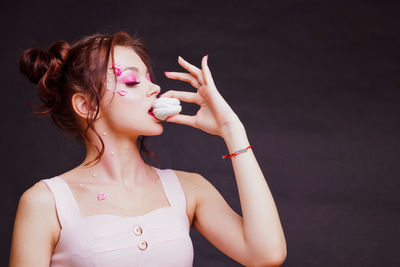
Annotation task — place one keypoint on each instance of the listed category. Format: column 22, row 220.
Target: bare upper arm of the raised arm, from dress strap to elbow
column 217, row 222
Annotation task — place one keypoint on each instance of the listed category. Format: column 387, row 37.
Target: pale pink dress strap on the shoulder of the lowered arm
column 66, row 206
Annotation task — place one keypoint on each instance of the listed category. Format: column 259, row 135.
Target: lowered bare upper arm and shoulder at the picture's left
column 36, row 228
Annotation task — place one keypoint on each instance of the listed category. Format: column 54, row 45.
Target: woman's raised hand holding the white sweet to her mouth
column 215, row 116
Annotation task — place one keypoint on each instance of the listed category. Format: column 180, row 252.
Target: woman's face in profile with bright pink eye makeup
column 129, row 95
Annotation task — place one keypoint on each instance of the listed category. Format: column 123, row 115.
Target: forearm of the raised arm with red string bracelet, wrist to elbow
column 263, row 232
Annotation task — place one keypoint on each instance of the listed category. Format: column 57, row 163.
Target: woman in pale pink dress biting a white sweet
column 114, row 209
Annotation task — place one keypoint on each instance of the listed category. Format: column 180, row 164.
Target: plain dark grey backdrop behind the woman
column 316, row 84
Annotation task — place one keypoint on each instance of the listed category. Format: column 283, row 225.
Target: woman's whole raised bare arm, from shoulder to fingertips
column 257, row 238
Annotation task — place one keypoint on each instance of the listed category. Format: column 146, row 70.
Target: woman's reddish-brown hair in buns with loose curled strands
column 64, row 70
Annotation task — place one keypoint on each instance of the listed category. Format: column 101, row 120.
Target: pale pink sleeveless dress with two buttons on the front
column 157, row 238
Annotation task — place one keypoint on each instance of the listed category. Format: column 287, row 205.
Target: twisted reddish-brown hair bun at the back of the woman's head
column 35, row 63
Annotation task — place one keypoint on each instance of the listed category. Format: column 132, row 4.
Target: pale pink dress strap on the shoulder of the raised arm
column 172, row 188
